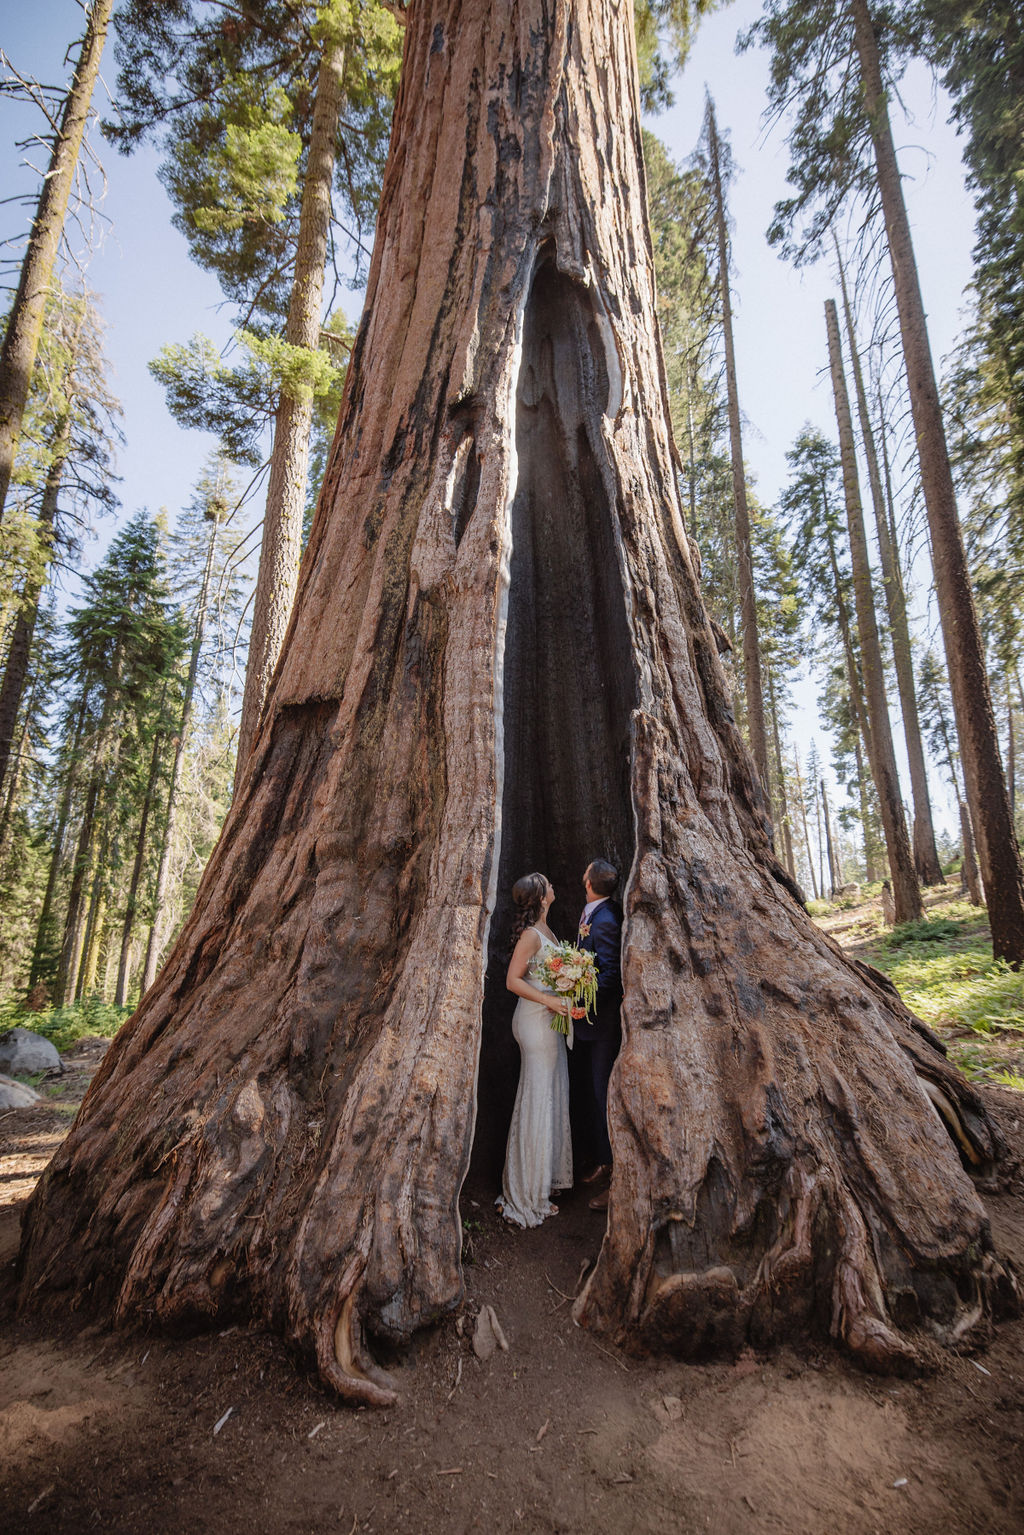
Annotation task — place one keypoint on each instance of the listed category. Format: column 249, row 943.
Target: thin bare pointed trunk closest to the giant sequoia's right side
column 744, row 555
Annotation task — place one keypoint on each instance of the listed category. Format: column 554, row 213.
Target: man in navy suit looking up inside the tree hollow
column 600, row 1040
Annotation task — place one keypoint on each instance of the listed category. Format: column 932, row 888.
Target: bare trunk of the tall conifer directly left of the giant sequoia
column 289, row 463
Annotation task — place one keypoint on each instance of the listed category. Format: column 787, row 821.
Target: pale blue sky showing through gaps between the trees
column 151, row 294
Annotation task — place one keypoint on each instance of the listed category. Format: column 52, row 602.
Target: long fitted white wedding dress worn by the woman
column 540, row 1157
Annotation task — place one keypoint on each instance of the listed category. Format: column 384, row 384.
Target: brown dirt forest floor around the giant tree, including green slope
column 116, row 1433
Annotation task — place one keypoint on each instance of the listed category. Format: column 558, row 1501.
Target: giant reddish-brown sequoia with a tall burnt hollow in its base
column 500, row 661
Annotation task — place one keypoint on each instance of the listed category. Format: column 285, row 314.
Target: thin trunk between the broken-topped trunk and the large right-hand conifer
column 925, row 851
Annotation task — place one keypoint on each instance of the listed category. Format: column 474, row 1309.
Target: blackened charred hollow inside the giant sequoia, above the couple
column 569, row 672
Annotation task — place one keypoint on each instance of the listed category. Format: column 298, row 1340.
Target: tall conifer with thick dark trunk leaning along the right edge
column 842, row 147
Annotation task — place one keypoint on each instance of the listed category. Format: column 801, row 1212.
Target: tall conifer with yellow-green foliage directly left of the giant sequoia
column 263, row 122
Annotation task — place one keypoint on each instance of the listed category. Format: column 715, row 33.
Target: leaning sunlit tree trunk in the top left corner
column 25, row 322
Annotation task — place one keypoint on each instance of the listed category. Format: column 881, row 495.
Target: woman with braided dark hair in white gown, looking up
column 540, row 1155
